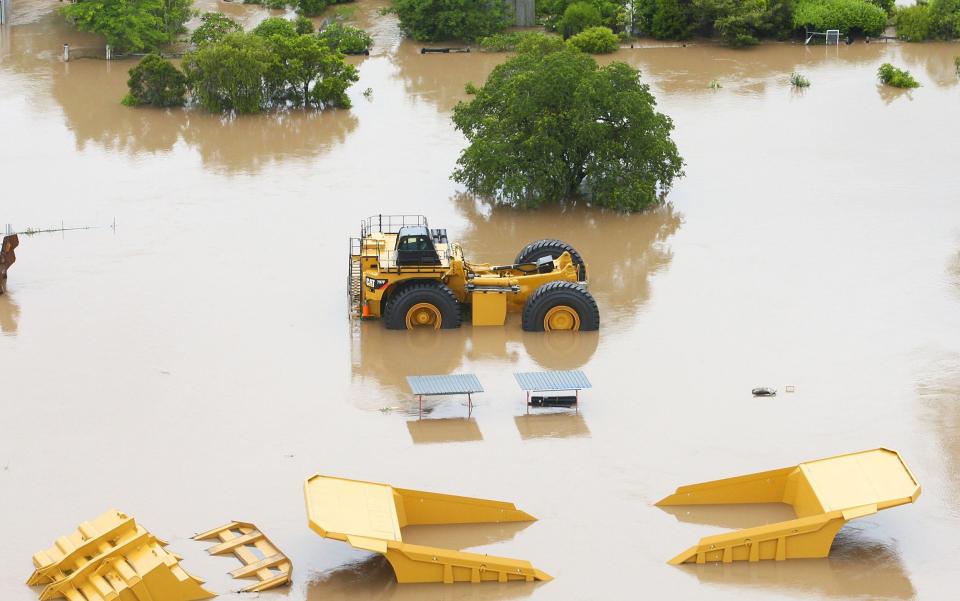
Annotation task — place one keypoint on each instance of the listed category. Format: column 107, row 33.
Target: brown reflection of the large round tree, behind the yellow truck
column 622, row 251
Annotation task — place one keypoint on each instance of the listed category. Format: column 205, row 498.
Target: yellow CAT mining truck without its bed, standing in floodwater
column 411, row 276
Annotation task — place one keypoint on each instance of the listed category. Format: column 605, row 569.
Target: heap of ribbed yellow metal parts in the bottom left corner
column 113, row 557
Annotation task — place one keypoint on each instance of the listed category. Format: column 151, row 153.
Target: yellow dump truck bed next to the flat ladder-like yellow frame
column 369, row 516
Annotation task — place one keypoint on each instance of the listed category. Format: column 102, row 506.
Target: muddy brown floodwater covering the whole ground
column 194, row 363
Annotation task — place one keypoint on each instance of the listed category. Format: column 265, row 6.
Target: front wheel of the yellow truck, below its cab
column 423, row 305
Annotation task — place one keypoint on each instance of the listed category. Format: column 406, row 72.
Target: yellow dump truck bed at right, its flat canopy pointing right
column 825, row 495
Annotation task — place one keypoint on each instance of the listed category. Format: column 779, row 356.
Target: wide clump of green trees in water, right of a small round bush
column 279, row 64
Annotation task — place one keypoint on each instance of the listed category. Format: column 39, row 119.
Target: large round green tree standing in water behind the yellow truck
column 549, row 123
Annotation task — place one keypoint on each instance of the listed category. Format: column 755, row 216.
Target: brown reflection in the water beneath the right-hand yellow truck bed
column 856, row 568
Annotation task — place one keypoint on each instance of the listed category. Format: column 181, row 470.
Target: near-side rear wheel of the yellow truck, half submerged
column 561, row 306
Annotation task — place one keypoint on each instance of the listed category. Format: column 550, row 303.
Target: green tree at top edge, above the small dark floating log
column 437, row 20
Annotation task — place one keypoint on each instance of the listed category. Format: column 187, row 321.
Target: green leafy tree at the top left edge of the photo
column 130, row 25
